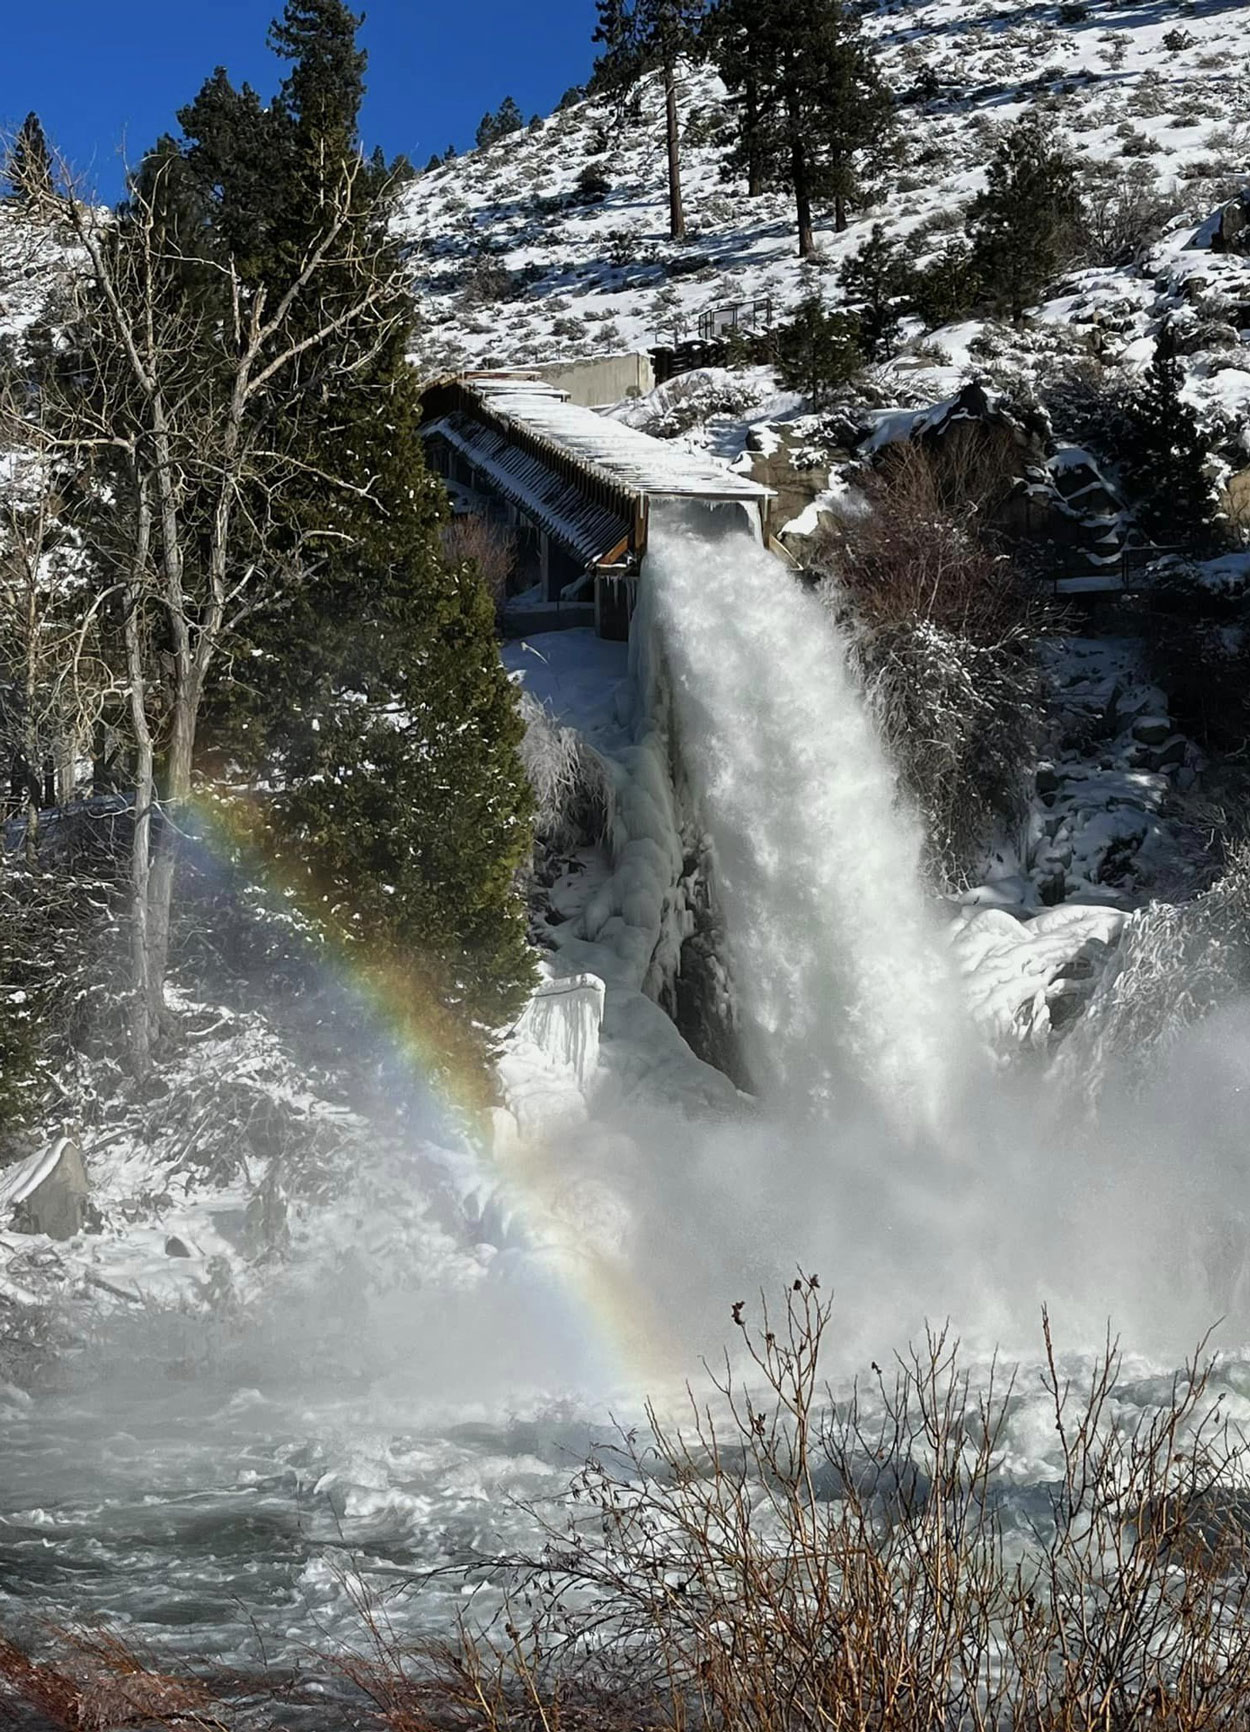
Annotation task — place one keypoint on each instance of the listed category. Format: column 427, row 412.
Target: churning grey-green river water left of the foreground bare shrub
column 219, row 1523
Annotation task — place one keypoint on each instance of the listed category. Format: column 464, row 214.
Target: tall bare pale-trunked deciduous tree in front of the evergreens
column 179, row 373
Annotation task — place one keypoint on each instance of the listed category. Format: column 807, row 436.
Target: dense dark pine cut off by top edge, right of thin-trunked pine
column 815, row 110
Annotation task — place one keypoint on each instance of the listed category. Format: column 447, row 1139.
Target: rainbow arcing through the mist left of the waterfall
column 423, row 1042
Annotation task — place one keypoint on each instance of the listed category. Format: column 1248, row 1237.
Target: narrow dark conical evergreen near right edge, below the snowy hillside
column 1164, row 453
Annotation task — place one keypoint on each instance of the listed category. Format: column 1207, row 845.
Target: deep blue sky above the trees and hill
column 106, row 75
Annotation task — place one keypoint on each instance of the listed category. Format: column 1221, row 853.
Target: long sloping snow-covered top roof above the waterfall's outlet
column 628, row 458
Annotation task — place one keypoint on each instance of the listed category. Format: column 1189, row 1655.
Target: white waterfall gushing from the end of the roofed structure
column 839, row 973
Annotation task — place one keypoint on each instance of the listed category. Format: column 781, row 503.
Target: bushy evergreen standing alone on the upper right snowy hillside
column 1024, row 226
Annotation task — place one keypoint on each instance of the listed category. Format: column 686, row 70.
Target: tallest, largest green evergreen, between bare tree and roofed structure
column 371, row 688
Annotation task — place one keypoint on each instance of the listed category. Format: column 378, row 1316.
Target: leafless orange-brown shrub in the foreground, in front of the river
column 787, row 1561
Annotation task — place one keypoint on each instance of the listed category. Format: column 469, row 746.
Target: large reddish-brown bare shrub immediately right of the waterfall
column 941, row 635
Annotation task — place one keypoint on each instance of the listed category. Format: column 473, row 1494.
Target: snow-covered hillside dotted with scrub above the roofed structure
column 515, row 264
